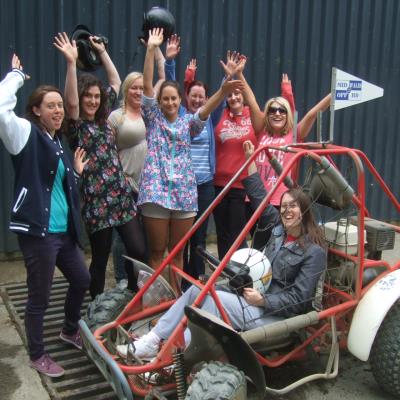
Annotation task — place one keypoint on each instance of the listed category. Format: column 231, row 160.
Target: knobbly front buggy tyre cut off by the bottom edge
column 218, row 381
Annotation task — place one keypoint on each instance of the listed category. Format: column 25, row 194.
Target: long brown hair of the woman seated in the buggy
column 309, row 227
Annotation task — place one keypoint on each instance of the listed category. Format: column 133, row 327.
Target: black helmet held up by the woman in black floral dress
column 88, row 58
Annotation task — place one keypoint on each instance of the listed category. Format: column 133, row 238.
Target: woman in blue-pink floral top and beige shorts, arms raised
column 167, row 191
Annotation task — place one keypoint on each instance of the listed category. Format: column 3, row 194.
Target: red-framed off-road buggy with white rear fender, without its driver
column 357, row 306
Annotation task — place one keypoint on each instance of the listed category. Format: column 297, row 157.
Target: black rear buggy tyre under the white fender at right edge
column 385, row 353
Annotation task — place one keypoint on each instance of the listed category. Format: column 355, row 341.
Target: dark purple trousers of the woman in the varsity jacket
column 41, row 255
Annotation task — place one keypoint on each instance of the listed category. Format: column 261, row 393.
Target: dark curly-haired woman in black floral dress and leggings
column 106, row 194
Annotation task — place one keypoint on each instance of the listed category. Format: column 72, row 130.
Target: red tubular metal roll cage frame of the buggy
column 326, row 318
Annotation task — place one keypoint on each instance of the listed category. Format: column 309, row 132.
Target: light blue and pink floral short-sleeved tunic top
column 167, row 178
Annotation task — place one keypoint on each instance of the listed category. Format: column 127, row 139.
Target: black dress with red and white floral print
column 107, row 198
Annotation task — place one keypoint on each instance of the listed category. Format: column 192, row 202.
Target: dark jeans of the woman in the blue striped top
column 193, row 263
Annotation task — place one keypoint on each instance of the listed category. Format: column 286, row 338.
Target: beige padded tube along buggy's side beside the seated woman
column 271, row 331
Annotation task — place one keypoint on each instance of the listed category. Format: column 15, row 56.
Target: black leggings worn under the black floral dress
column 131, row 234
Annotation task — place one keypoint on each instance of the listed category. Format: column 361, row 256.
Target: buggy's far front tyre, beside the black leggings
column 106, row 307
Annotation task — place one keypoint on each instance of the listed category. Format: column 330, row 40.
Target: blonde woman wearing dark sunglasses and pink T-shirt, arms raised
column 274, row 126
